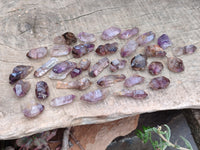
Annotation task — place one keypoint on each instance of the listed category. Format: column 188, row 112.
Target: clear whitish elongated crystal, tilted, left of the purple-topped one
column 45, row 67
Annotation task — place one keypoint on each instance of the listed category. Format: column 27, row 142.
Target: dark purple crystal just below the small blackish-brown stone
column 82, row 49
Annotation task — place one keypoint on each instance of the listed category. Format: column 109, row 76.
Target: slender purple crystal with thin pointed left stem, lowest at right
column 135, row 94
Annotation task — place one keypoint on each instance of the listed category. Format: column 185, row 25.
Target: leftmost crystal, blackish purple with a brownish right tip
column 19, row 72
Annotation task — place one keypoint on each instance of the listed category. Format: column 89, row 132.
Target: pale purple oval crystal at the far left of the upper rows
column 37, row 53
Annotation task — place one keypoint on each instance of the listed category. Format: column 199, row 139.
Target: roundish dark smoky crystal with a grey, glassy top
column 139, row 62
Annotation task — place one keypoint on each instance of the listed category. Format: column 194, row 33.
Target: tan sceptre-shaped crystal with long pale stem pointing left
column 80, row 84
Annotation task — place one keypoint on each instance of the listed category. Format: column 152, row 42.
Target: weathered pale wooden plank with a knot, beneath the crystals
column 34, row 23
